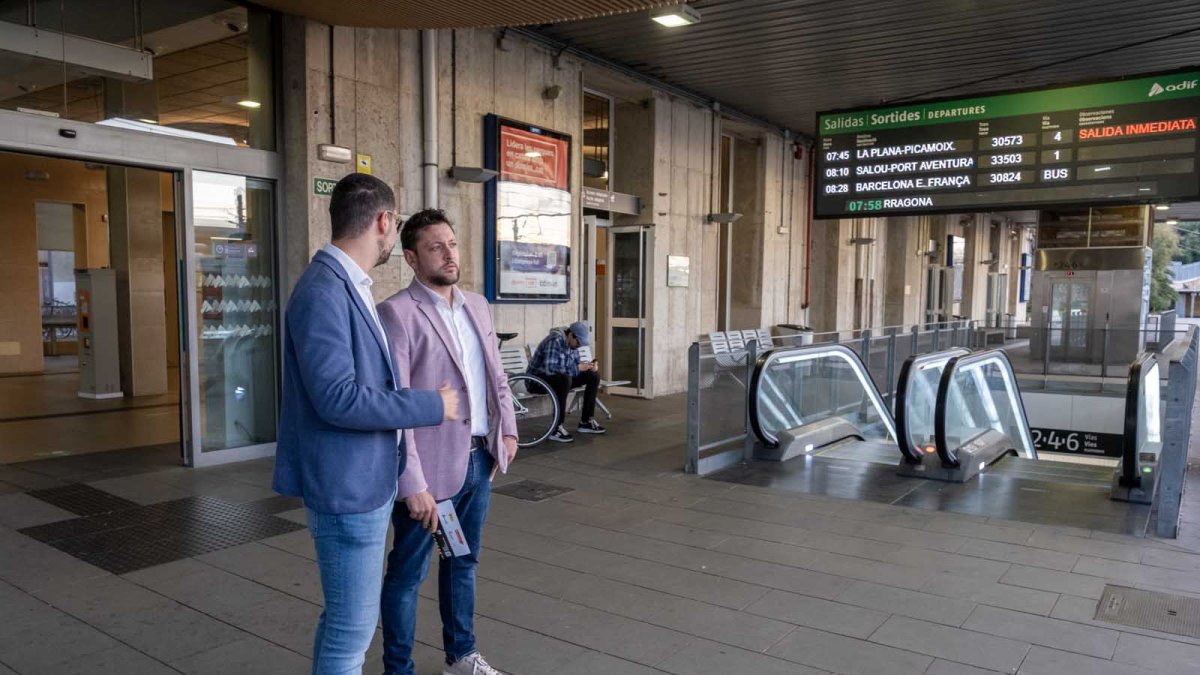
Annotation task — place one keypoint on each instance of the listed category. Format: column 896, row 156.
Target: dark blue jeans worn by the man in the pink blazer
column 410, row 563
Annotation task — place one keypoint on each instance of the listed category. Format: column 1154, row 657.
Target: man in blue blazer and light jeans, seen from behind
column 339, row 445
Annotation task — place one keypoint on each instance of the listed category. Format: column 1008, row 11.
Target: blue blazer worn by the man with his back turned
column 338, row 446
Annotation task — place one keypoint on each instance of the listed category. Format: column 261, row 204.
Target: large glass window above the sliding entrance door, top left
column 213, row 71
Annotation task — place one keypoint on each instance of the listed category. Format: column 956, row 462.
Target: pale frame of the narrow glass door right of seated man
column 644, row 324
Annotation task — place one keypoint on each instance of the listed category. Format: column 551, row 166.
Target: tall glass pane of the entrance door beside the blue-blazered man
column 238, row 313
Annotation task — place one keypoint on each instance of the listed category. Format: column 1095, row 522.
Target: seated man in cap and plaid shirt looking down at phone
column 557, row 362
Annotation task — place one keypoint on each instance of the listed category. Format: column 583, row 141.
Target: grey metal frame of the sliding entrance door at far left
column 38, row 135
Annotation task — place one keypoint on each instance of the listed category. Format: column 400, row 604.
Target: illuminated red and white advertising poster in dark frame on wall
column 529, row 213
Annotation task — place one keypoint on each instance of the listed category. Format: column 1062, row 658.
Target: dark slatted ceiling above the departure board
column 785, row 61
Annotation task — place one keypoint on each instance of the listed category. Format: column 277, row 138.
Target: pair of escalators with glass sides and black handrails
column 958, row 415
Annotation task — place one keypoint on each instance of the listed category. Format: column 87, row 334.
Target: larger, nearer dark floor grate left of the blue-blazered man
column 139, row 536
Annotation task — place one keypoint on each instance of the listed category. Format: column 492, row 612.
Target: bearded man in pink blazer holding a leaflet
column 441, row 334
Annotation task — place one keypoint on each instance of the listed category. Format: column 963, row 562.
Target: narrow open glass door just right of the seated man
column 629, row 274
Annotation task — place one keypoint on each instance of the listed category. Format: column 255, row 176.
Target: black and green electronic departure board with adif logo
column 1127, row 141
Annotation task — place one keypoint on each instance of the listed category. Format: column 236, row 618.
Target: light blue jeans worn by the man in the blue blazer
column 350, row 553
